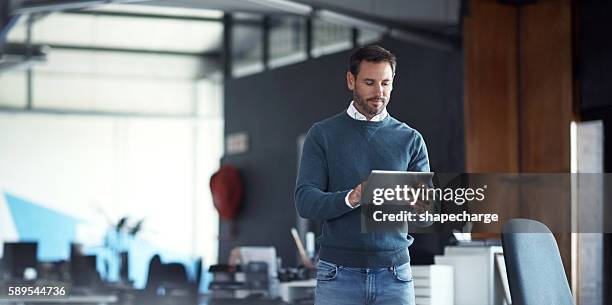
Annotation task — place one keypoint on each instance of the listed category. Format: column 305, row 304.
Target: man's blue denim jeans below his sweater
column 337, row 285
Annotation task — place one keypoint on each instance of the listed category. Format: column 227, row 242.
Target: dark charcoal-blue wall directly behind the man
column 276, row 106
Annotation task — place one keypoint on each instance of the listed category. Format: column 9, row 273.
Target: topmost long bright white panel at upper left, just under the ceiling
column 123, row 32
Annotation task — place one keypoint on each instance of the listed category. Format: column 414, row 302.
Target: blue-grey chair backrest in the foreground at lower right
column 533, row 263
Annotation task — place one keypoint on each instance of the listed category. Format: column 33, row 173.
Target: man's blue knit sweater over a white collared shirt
column 338, row 154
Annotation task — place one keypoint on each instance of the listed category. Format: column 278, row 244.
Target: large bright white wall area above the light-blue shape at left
column 144, row 168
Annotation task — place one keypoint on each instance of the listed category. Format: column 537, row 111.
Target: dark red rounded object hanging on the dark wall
column 227, row 190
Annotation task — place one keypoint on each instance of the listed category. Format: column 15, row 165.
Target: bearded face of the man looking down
column 371, row 87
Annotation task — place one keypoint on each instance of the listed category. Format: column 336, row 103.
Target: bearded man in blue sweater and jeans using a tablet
column 339, row 153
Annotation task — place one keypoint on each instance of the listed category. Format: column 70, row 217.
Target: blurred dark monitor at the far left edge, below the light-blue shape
column 17, row 256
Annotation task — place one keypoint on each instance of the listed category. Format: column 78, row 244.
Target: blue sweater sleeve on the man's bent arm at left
column 312, row 199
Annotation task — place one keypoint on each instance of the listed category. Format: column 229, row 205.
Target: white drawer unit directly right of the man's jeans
column 433, row 284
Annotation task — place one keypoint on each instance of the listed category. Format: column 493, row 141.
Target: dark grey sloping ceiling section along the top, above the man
column 431, row 23
